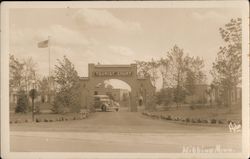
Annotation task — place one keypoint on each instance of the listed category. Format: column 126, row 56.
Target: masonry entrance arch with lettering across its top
column 140, row 87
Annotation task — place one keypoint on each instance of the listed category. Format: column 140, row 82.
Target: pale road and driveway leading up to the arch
column 118, row 132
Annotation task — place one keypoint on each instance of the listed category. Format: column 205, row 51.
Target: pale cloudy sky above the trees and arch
column 116, row 36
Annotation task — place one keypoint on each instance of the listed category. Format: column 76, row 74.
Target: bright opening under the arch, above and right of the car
column 117, row 90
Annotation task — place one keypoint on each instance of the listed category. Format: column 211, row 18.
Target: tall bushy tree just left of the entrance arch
column 67, row 95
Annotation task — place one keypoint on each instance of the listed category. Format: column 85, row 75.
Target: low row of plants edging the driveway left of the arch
column 57, row 119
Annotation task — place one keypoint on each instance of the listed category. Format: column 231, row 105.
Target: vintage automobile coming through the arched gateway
column 104, row 103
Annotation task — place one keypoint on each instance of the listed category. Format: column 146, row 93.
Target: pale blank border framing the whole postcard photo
column 6, row 6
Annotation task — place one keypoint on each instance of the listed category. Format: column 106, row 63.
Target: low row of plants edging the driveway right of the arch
column 187, row 120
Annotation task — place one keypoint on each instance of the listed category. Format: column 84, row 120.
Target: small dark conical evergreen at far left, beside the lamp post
column 22, row 102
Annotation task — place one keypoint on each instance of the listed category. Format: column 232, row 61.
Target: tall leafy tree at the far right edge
column 226, row 70
